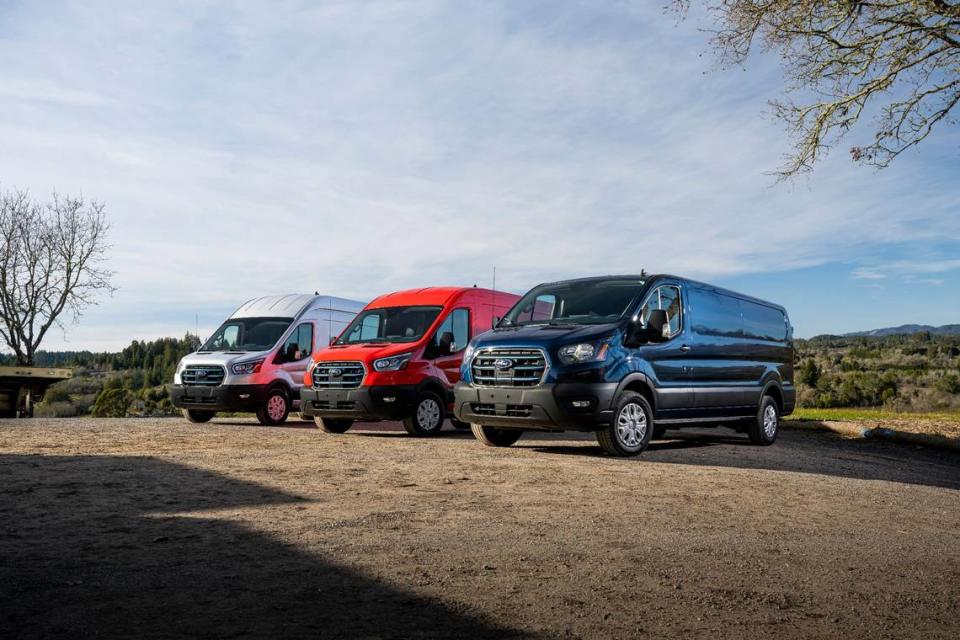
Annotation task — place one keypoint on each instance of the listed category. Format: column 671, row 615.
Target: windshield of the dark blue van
column 585, row 302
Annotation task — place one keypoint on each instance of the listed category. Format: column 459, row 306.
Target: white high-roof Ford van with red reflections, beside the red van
column 257, row 359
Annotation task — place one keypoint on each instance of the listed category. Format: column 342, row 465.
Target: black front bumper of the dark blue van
column 548, row 407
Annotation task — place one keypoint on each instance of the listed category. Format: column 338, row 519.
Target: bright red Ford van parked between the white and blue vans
column 399, row 359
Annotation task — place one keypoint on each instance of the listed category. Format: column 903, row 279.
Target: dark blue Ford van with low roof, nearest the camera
column 629, row 357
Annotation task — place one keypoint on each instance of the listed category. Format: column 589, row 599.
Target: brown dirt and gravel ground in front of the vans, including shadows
column 157, row 528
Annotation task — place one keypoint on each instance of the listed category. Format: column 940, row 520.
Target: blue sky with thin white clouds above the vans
column 356, row 148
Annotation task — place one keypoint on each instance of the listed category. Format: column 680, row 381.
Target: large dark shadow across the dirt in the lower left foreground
column 88, row 548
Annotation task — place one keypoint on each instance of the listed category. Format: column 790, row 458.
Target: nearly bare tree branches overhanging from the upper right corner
column 895, row 61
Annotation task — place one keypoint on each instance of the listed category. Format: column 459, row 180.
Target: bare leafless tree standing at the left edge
column 51, row 262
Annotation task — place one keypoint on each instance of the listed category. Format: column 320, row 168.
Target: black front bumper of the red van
column 389, row 402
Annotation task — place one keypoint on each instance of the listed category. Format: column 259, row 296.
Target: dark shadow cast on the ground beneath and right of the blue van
column 796, row 450
